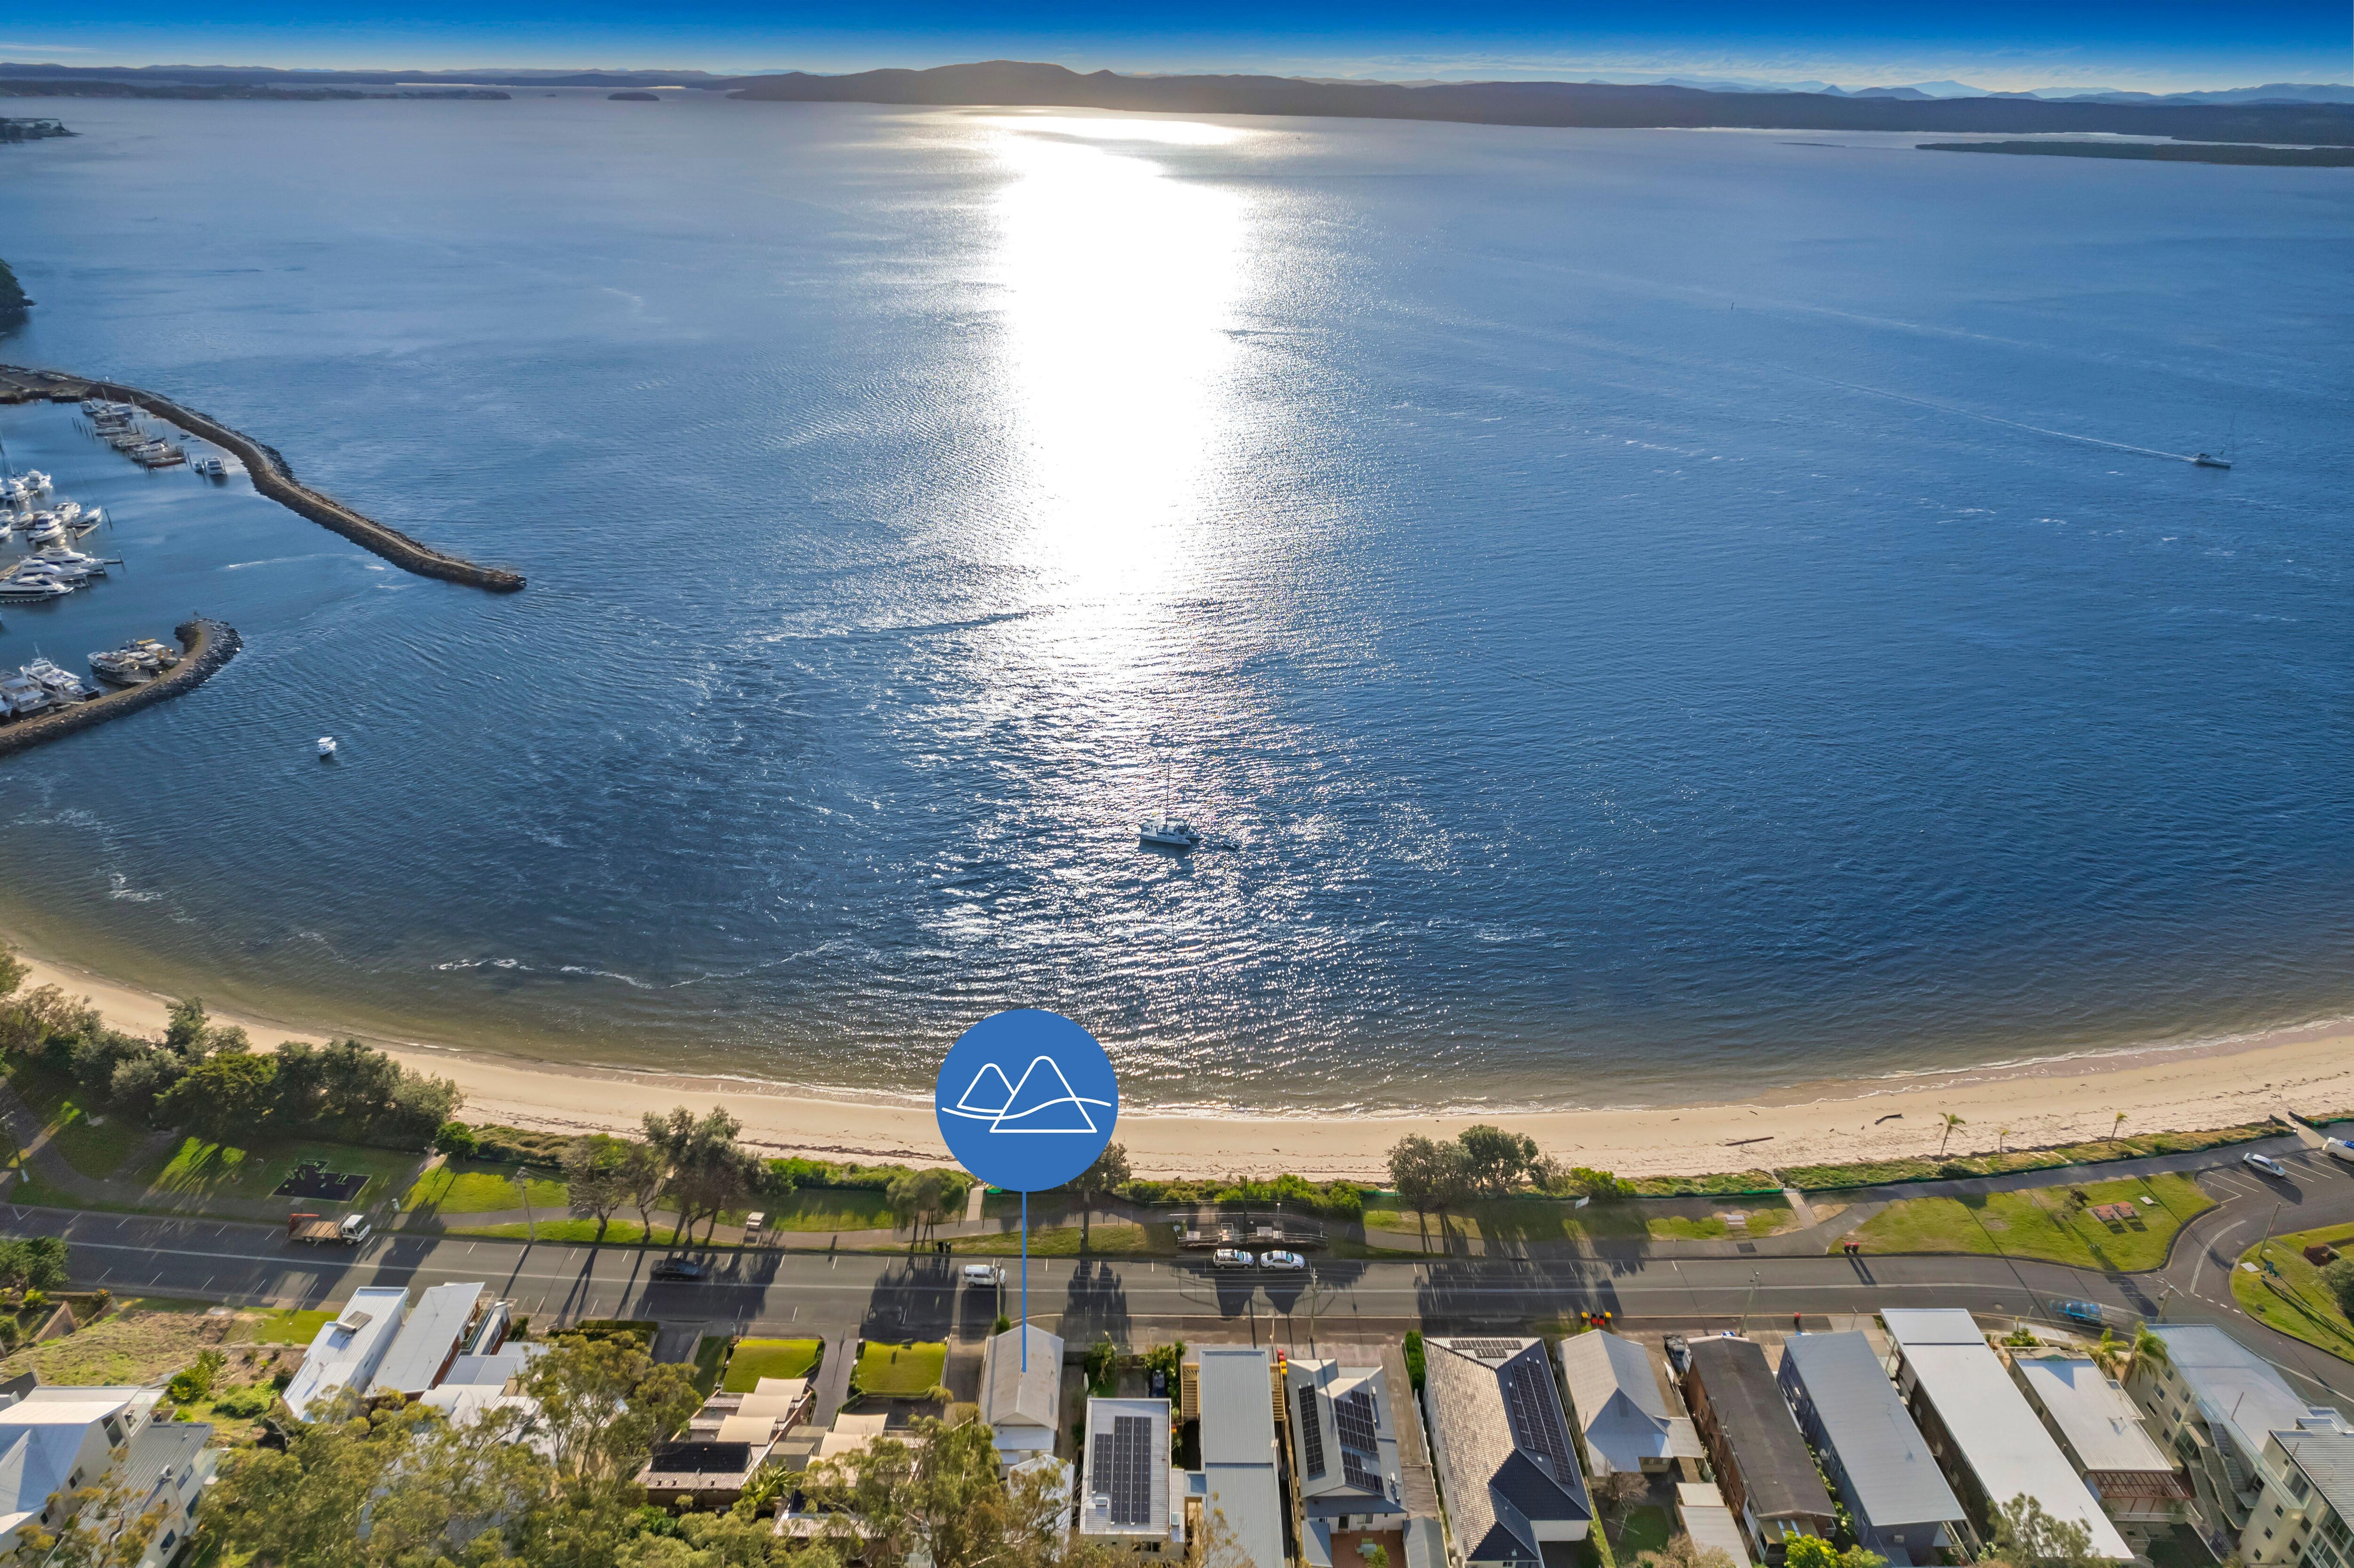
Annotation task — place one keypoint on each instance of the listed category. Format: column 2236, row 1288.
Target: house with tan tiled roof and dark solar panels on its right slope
column 1503, row 1451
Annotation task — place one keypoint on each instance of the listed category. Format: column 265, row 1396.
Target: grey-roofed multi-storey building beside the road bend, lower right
column 2214, row 1404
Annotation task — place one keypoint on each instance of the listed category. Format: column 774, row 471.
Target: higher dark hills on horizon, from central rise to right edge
column 1590, row 105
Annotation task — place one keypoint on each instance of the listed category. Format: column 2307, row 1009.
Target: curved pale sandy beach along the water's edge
column 2019, row 1108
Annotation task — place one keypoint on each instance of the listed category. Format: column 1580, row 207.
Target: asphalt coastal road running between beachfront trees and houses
column 898, row 1296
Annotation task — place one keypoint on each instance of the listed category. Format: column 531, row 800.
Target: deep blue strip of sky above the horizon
column 2007, row 44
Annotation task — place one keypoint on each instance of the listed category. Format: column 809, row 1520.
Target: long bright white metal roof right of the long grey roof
column 1990, row 1423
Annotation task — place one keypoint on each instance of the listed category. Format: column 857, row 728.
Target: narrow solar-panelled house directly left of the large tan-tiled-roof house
column 1345, row 1454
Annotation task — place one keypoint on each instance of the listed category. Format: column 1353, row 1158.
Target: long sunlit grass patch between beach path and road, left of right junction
column 2044, row 1223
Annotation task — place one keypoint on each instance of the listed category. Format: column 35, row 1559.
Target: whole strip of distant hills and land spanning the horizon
column 2315, row 114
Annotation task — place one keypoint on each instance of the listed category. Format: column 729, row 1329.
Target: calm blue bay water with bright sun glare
column 1581, row 571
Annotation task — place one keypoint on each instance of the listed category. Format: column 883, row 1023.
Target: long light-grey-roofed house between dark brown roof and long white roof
column 1870, row 1447
